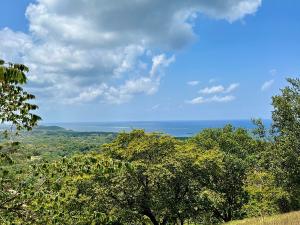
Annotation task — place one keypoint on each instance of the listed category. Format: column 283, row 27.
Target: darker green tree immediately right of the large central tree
column 224, row 182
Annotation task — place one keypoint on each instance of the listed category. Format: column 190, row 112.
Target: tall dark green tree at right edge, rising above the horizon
column 286, row 128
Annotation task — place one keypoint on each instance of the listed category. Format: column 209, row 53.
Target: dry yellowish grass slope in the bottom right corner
column 292, row 218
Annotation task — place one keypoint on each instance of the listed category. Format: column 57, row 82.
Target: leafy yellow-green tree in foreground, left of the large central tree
column 72, row 190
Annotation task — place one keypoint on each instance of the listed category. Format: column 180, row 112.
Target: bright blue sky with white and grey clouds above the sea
column 138, row 60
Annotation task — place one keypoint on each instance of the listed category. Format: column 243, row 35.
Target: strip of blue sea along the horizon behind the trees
column 175, row 128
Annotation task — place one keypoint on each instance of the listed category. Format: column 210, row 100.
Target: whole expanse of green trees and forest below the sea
column 219, row 175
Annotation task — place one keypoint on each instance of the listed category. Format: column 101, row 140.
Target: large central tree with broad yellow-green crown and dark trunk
column 159, row 186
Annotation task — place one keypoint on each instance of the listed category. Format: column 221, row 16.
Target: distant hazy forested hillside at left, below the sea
column 52, row 142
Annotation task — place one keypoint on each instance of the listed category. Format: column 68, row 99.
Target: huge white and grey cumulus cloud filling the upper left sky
column 104, row 50
